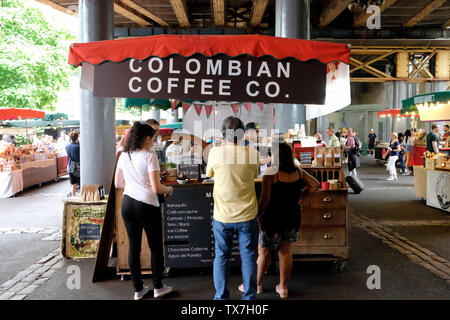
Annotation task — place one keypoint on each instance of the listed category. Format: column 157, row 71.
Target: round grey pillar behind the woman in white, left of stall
column 97, row 120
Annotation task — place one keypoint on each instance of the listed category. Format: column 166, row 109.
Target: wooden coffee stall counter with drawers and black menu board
column 189, row 239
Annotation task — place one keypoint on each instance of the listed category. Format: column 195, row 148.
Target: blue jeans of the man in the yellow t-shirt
column 248, row 248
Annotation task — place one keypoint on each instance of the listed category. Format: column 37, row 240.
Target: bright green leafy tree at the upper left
column 33, row 57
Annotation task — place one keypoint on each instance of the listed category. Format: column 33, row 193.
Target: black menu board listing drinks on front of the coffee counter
column 188, row 234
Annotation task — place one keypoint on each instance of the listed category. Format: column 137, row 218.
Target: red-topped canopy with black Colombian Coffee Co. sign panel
column 252, row 68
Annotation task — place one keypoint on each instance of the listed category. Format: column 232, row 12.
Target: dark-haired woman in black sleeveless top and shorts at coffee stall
column 279, row 213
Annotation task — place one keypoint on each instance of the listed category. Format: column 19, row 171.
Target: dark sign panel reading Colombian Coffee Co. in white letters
column 223, row 78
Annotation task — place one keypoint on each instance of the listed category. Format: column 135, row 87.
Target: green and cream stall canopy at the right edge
column 430, row 107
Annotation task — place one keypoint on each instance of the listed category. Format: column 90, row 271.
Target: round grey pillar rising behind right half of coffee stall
column 291, row 21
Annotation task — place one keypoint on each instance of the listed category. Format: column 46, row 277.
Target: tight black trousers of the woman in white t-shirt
column 138, row 215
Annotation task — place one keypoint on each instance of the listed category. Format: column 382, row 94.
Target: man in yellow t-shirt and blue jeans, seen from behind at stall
column 234, row 167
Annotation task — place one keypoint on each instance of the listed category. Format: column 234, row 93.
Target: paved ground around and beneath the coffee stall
column 407, row 240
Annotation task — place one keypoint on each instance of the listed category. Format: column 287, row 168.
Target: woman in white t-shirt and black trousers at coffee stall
column 138, row 173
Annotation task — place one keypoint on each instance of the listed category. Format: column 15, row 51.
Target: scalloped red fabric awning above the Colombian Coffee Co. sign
column 209, row 45
